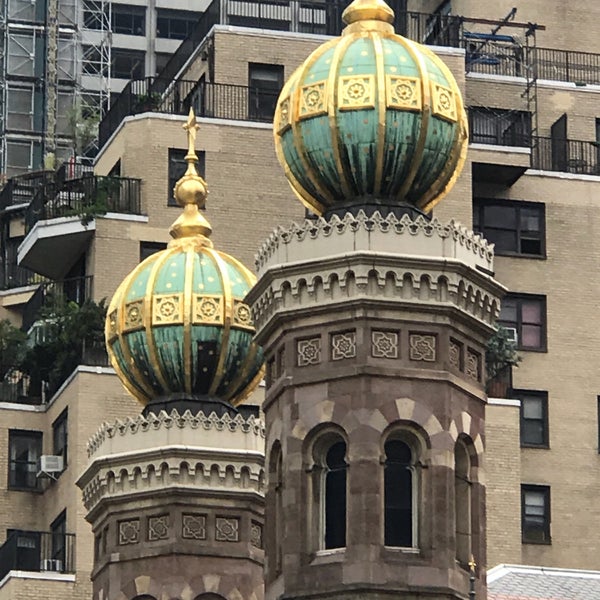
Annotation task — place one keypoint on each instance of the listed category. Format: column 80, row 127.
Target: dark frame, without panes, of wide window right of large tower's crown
column 479, row 226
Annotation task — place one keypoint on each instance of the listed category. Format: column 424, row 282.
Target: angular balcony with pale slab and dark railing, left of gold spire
column 65, row 240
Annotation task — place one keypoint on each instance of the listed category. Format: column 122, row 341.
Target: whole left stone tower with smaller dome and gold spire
column 175, row 496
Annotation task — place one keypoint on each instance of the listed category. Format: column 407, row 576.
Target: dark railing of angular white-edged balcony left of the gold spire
column 84, row 197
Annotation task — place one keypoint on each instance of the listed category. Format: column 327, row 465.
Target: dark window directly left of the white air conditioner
column 25, row 449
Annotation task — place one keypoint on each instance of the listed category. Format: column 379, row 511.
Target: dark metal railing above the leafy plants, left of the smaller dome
column 54, row 293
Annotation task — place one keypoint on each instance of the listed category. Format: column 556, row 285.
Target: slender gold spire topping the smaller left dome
column 190, row 192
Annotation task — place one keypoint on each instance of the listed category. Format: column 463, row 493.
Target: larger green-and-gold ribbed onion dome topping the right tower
column 371, row 118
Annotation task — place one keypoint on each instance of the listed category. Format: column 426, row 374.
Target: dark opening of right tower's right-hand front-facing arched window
column 399, row 494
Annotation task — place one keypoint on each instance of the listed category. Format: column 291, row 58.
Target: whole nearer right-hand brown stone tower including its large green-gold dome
column 373, row 319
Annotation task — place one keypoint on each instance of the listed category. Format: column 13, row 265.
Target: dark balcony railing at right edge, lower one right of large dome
column 567, row 156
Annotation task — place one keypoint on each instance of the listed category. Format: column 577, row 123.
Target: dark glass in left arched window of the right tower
column 335, row 496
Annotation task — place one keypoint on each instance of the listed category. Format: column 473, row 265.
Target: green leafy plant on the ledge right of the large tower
column 500, row 357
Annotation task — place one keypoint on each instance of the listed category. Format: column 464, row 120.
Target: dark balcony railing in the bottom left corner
column 37, row 551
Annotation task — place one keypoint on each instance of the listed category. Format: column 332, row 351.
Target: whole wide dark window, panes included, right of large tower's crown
column 516, row 228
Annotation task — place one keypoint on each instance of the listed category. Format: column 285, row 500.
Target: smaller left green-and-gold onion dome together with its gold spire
column 178, row 327
